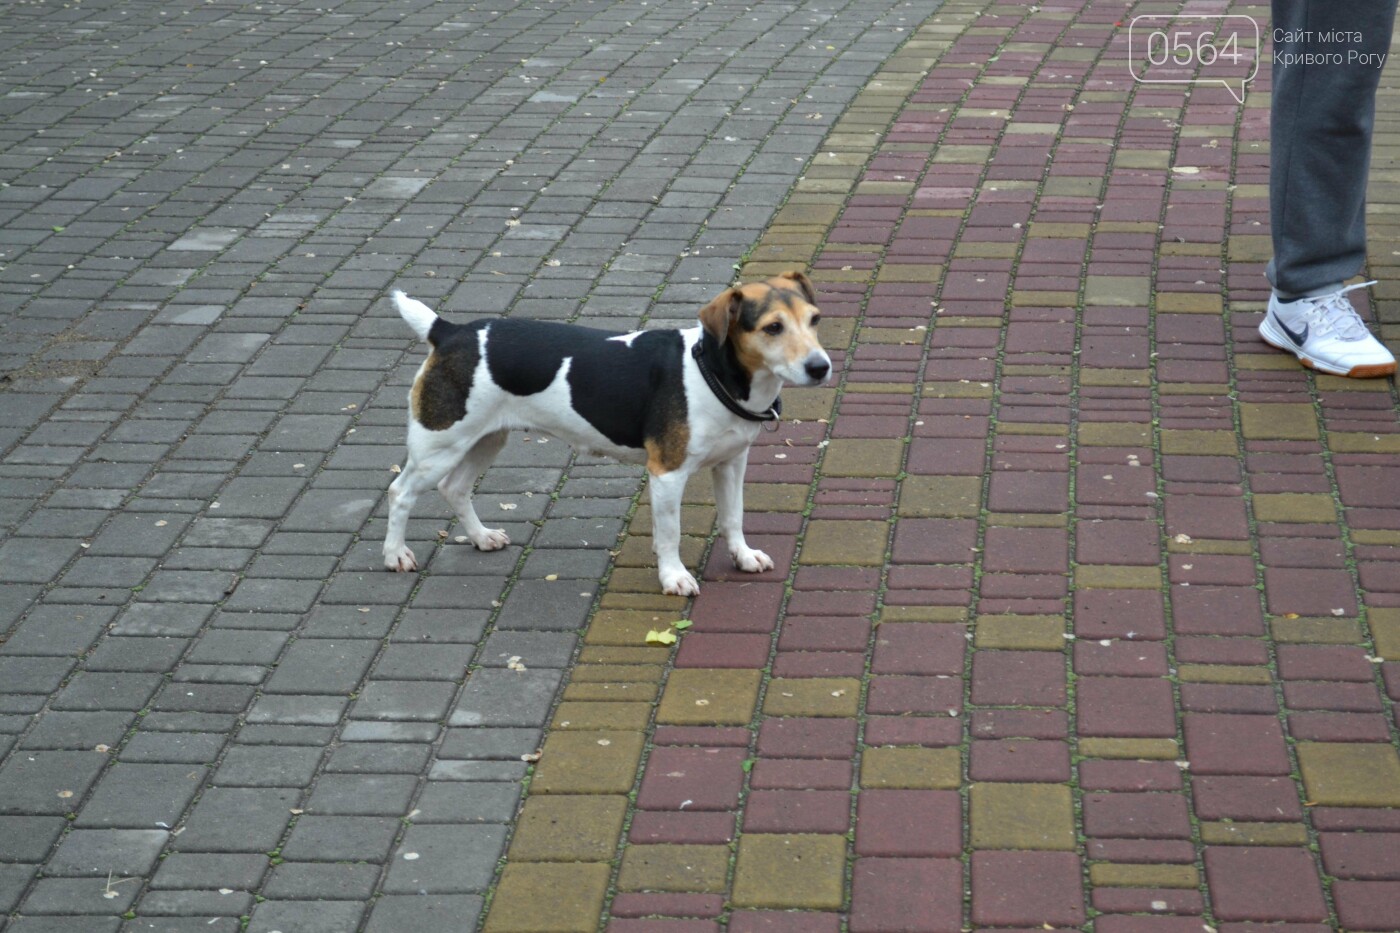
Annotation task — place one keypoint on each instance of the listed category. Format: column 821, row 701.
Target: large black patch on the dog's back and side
column 628, row 393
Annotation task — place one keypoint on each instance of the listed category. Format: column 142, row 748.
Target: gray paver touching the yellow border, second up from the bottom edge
column 450, row 859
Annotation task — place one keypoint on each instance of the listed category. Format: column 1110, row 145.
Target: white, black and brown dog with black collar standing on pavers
column 677, row 401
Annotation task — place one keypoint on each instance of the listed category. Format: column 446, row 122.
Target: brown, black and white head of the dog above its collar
column 772, row 326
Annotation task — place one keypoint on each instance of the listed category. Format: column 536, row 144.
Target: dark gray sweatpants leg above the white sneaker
column 1322, row 118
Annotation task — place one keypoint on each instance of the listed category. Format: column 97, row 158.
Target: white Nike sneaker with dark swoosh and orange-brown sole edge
column 1326, row 334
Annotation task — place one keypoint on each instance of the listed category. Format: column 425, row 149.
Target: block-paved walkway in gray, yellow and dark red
column 1083, row 595
